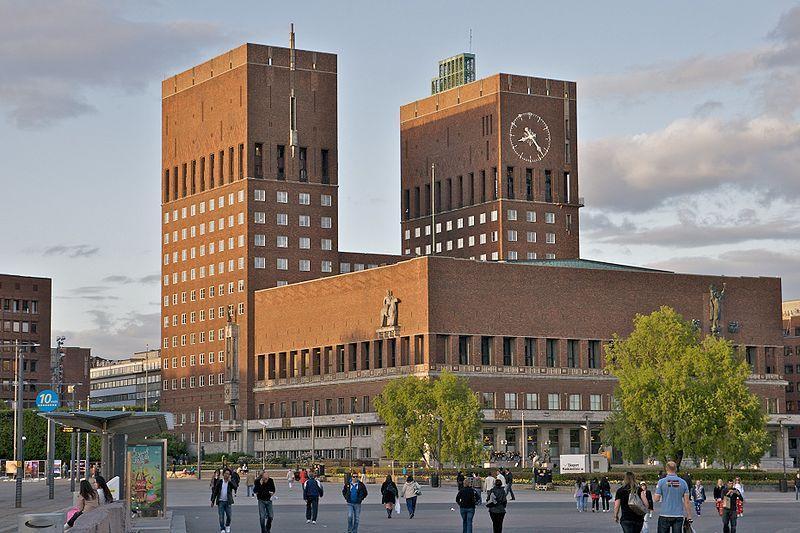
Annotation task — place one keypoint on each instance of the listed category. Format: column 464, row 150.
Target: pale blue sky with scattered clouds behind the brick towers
column 688, row 127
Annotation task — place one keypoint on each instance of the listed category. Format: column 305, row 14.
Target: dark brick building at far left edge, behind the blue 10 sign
column 25, row 304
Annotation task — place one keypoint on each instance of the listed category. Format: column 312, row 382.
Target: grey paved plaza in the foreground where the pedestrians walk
column 766, row 512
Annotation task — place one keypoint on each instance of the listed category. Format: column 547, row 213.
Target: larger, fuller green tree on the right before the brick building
column 681, row 396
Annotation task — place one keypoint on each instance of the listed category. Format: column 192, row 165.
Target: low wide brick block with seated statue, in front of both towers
column 538, row 352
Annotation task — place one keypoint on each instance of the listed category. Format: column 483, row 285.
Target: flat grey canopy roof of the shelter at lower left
column 133, row 423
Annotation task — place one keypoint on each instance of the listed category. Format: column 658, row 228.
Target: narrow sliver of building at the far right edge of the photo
column 791, row 370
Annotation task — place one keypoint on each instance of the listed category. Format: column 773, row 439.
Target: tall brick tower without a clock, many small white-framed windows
column 249, row 201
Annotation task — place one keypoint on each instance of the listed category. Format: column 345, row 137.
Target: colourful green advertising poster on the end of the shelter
column 145, row 466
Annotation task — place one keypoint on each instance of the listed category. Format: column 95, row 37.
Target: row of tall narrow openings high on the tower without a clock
column 192, row 177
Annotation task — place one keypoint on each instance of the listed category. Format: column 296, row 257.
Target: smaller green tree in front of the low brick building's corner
column 413, row 408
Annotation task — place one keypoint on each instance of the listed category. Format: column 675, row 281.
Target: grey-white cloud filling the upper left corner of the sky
column 54, row 51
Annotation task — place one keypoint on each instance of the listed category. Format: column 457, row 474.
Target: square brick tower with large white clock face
column 489, row 171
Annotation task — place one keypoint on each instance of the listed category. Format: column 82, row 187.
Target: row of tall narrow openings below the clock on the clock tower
column 465, row 191
